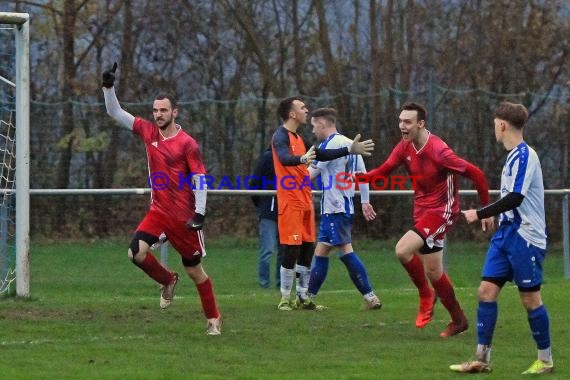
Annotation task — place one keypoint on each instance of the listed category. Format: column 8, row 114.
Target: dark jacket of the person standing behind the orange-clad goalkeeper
column 264, row 179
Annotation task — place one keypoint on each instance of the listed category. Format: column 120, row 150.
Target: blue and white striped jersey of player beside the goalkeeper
column 338, row 192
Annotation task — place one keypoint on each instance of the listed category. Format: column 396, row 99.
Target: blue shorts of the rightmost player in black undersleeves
column 512, row 258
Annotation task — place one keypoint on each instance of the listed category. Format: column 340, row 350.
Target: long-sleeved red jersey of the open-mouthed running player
column 433, row 166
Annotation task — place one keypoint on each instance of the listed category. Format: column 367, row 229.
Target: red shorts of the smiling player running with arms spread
column 432, row 226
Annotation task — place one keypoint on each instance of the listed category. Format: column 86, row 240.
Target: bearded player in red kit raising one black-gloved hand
column 178, row 203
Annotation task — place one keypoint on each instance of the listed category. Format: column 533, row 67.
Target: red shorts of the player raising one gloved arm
column 188, row 243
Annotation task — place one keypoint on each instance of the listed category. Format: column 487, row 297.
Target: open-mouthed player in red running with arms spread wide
column 436, row 207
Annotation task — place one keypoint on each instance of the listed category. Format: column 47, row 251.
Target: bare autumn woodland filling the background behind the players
column 363, row 57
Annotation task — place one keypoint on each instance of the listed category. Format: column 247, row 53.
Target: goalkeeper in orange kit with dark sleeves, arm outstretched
column 296, row 214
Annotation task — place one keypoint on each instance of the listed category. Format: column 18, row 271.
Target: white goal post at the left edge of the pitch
column 19, row 22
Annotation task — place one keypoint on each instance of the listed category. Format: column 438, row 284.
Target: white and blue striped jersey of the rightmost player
column 522, row 174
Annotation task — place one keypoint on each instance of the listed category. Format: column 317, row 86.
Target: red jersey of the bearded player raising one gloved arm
column 173, row 160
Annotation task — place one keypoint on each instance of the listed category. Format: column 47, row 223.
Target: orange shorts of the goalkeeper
column 296, row 225
